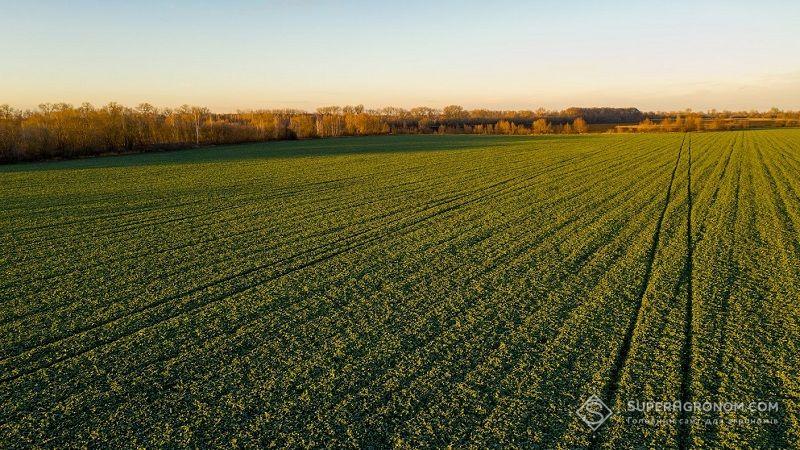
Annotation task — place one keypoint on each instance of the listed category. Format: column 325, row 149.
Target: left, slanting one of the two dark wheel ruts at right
column 612, row 387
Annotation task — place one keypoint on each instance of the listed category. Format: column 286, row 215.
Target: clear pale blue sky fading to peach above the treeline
column 496, row 54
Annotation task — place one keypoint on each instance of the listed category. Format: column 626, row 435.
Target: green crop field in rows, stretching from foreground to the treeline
column 405, row 291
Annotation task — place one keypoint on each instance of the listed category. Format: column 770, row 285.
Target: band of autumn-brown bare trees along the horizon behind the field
column 64, row 131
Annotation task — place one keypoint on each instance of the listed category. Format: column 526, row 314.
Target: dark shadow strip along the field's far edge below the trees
column 288, row 149
